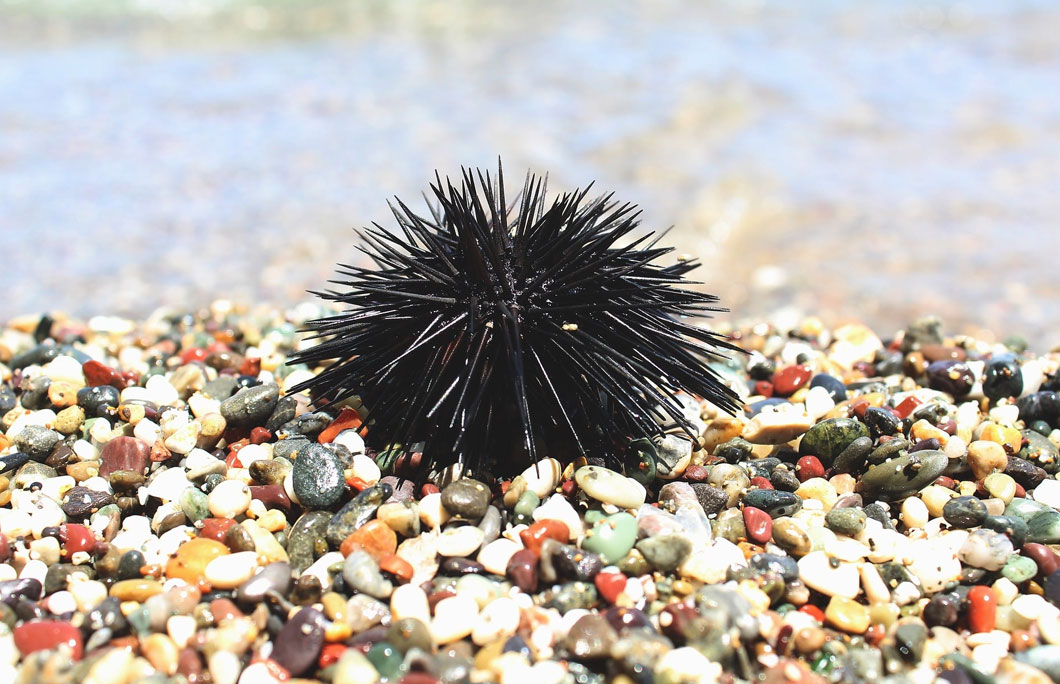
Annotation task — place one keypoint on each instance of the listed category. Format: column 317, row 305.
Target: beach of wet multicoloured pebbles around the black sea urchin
column 886, row 508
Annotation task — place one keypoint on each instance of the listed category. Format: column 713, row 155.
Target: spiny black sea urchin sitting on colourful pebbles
column 493, row 332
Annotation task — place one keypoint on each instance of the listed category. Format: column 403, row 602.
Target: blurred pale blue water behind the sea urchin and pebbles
column 856, row 161
